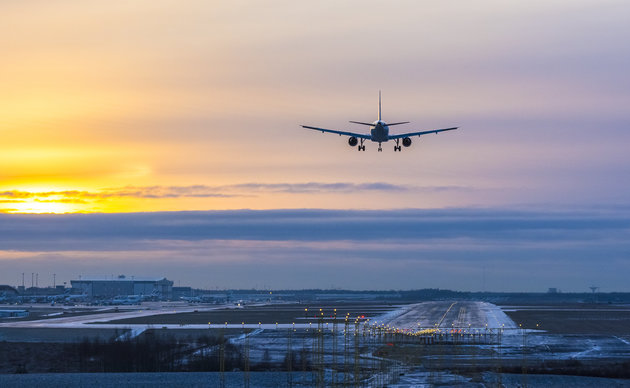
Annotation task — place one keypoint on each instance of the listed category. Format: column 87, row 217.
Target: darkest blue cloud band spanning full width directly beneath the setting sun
column 22, row 231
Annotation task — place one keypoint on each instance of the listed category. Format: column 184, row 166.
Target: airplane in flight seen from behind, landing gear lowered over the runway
column 379, row 132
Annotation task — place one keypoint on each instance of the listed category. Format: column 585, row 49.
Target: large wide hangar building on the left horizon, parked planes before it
column 123, row 285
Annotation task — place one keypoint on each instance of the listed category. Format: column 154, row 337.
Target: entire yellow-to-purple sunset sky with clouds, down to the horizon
column 182, row 110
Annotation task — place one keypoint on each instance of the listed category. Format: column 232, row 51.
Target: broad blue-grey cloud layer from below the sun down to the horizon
column 407, row 248
